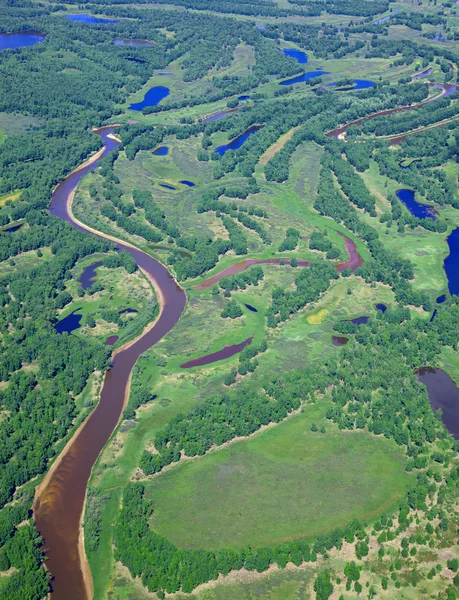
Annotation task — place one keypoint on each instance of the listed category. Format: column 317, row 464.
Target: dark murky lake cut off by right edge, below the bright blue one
column 444, row 394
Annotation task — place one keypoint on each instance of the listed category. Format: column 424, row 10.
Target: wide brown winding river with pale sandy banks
column 60, row 498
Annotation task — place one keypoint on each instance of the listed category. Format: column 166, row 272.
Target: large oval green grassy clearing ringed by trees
column 272, row 488
